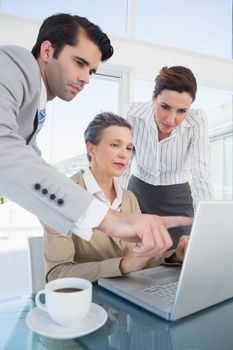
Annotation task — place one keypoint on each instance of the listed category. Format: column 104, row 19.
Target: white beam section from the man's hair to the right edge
column 148, row 58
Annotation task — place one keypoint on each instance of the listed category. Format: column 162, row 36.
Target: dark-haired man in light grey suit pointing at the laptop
column 68, row 50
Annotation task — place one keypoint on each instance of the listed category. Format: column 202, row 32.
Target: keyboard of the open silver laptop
column 166, row 291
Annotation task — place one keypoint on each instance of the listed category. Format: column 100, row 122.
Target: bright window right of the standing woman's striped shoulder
column 218, row 106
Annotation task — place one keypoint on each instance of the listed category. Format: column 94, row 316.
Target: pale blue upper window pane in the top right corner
column 200, row 26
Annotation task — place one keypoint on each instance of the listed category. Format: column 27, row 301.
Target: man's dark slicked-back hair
column 62, row 29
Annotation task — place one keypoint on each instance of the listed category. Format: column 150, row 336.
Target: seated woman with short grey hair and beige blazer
column 109, row 146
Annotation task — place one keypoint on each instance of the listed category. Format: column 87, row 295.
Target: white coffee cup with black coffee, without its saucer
column 67, row 300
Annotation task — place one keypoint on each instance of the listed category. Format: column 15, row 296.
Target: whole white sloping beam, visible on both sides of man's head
column 145, row 58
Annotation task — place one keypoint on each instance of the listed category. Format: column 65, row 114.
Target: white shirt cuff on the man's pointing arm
column 90, row 219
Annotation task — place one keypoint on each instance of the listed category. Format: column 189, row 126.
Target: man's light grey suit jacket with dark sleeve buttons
column 24, row 177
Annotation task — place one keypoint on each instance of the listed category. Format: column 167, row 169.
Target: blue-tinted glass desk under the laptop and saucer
column 128, row 328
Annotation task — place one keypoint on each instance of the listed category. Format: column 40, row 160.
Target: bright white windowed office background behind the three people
column 146, row 35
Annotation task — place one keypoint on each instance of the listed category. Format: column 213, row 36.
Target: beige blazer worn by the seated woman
column 72, row 256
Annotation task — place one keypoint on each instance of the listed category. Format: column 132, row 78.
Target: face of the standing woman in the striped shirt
column 171, row 108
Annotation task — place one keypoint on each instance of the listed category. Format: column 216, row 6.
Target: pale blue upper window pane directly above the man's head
column 101, row 12
